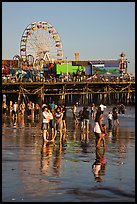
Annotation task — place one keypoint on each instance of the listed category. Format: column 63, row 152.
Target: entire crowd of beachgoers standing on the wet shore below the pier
column 54, row 118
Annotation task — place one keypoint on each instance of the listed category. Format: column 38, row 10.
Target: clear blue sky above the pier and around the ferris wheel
column 97, row 30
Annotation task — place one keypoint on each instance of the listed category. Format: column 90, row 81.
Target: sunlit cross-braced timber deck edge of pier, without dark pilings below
column 65, row 88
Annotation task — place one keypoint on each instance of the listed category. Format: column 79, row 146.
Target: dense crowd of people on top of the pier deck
column 34, row 75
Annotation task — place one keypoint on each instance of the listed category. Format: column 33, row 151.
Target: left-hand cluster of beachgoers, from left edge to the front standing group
column 53, row 116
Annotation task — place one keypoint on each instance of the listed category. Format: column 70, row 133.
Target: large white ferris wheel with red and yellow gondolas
column 41, row 41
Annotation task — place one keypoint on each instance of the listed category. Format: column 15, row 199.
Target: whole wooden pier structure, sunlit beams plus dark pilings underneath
column 71, row 92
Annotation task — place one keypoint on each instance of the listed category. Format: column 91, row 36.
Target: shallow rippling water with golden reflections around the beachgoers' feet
column 63, row 173
